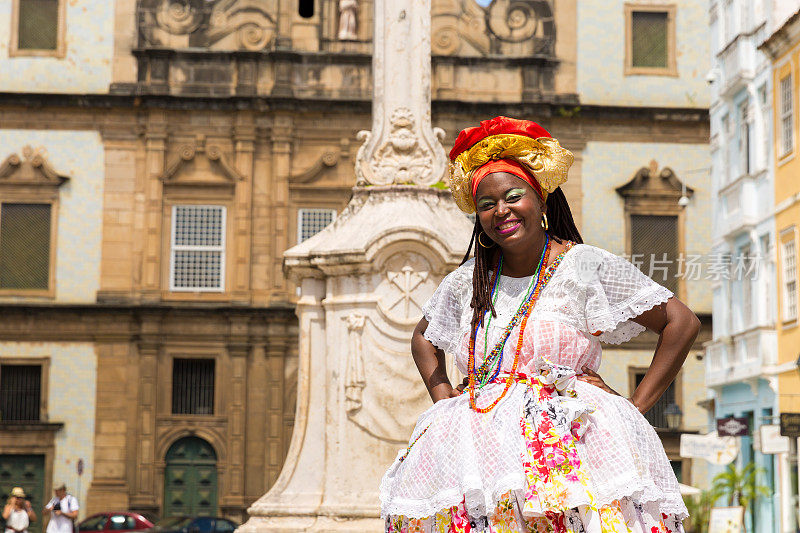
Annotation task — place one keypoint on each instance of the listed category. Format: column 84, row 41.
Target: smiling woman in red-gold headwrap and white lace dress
column 536, row 441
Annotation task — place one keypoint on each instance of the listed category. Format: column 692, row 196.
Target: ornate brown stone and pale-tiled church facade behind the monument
column 167, row 153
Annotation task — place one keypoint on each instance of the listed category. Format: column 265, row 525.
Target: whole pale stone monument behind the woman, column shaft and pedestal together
column 363, row 280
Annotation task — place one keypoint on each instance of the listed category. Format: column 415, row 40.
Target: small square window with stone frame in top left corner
column 38, row 27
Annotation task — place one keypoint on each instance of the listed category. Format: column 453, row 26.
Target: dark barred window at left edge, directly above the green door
column 20, row 392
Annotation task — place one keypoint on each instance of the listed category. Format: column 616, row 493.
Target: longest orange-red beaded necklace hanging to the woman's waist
column 521, row 316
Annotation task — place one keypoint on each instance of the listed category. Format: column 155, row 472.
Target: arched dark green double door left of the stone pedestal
column 190, row 479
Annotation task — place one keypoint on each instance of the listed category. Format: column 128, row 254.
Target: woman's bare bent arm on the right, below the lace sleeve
column 677, row 327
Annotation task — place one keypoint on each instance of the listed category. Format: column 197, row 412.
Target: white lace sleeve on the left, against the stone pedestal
column 443, row 311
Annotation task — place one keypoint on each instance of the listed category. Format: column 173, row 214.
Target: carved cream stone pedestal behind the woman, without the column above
column 363, row 281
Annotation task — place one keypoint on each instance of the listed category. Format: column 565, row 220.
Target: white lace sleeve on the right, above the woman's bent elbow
column 616, row 292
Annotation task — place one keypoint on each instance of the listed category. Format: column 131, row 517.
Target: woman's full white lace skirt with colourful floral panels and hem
column 556, row 492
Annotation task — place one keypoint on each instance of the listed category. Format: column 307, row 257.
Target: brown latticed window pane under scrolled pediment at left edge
column 24, row 246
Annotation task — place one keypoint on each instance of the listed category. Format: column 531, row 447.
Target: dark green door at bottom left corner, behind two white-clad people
column 26, row 471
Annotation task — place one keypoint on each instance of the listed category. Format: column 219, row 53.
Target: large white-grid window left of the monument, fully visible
column 197, row 261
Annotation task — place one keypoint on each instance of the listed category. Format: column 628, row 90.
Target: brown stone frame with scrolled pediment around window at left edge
column 43, row 189
